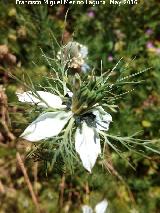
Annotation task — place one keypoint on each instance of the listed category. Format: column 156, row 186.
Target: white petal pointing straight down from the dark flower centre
column 87, row 144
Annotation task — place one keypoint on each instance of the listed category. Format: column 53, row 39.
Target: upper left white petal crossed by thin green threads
column 49, row 99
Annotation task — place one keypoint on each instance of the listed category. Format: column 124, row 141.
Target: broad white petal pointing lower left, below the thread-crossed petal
column 46, row 125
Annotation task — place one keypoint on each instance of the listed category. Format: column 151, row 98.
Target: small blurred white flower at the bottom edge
column 99, row 208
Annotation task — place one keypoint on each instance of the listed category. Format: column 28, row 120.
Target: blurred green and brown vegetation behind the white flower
column 110, row 32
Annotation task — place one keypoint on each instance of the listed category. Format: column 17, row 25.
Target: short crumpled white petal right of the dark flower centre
column 103, row 118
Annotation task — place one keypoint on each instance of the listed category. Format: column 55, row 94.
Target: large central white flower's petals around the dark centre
column 50, row 124
